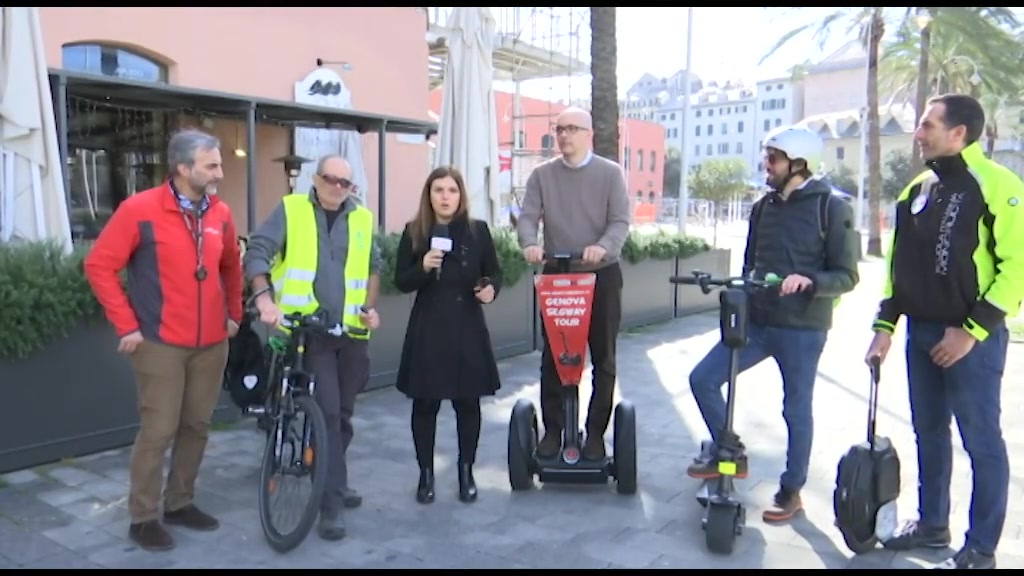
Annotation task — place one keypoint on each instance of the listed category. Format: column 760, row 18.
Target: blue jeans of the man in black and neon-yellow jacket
column 970, row 391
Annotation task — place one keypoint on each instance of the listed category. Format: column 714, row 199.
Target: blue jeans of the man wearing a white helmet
column 797, row 352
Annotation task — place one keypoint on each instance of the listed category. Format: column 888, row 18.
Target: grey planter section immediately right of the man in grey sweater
column 648, row 297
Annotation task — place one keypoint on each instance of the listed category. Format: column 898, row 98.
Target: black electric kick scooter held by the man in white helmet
column 726, row 516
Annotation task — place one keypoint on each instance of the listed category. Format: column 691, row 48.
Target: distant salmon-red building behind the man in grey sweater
column 643, row 144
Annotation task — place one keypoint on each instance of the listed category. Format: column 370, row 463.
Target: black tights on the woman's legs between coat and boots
column 467, row 415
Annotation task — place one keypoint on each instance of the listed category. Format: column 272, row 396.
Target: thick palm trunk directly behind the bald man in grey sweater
column 605, row 81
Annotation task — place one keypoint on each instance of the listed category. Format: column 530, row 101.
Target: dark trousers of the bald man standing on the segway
column 605, row 322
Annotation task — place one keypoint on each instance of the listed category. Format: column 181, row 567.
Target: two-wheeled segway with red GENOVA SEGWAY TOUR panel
column 566, row 302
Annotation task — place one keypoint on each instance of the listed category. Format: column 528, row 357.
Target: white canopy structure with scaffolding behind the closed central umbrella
column 531, row 44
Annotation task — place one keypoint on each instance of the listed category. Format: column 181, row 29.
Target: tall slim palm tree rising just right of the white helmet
column 870, row 24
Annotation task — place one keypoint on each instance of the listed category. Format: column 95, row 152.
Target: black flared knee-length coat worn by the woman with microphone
column 448, row 354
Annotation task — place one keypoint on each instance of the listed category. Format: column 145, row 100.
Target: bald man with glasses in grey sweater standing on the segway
column 583, row 201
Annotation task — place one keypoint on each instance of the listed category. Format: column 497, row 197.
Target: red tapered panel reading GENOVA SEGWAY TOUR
column 566, row 302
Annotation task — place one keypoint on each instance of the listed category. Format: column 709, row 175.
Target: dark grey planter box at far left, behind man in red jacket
column 74, row 398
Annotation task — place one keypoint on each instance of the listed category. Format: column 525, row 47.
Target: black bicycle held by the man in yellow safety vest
column 289, row 451
